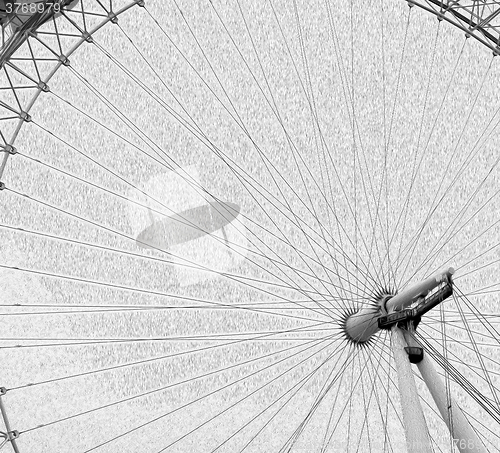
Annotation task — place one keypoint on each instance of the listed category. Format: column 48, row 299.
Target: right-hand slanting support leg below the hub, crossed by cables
column 464, row 437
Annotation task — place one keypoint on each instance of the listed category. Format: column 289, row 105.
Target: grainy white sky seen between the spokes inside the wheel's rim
column 405, row 104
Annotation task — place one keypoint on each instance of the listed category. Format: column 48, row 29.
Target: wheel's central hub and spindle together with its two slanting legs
column 401, row 313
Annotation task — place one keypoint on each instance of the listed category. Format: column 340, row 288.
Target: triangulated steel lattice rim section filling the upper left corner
column 35, row 46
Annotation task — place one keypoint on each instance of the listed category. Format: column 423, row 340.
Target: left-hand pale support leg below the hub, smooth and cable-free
column 417, row 436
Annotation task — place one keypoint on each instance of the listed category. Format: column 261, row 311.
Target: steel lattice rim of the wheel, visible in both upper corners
column 34, row 46
